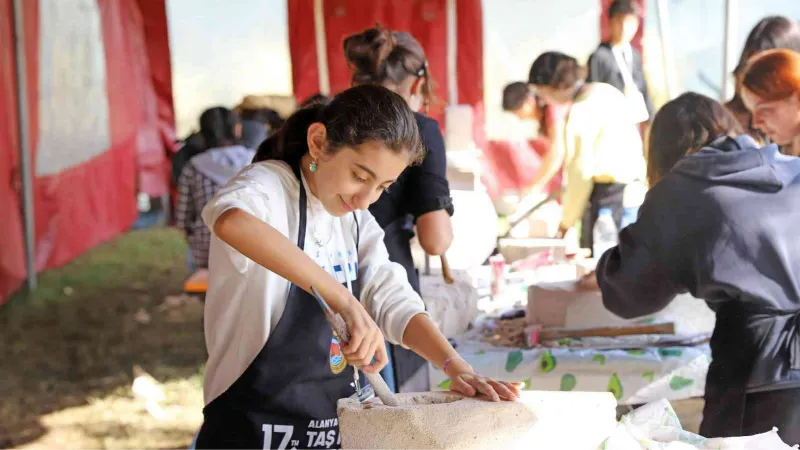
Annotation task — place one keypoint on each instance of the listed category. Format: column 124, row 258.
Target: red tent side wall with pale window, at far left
column 100, row 117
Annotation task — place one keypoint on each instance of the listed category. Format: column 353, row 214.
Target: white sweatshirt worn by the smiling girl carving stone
column 245, row 301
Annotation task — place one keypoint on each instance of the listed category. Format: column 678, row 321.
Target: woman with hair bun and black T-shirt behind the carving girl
column 420, row 199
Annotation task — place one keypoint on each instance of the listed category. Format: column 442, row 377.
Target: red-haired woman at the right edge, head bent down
column 770, row 89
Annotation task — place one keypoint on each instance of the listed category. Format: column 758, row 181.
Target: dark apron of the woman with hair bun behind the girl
column 410, row 371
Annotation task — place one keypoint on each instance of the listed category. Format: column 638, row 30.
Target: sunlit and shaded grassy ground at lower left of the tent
column 68, row 351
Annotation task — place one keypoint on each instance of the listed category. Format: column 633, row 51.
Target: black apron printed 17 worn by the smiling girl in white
column 286, row 399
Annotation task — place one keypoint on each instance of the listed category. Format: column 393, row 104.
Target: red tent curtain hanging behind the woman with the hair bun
column 426, row 20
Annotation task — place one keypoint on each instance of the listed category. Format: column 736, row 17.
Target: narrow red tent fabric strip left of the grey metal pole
column 12, row 251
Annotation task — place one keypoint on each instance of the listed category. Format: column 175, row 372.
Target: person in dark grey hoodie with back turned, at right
column 721, row 222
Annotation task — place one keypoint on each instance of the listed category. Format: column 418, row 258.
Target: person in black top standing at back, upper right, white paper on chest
column 617, row 63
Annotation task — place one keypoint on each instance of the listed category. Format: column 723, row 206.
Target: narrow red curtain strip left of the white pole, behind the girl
column 303, row 48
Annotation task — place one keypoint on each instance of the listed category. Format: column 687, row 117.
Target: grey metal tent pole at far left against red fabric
column 24, row 142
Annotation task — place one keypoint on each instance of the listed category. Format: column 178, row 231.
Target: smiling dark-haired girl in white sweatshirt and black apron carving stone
column 299, row 219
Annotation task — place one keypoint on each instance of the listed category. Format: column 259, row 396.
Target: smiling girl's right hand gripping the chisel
column 366, row 339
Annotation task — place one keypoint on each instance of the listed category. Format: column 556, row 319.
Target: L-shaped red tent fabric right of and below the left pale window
column 87, row 204
